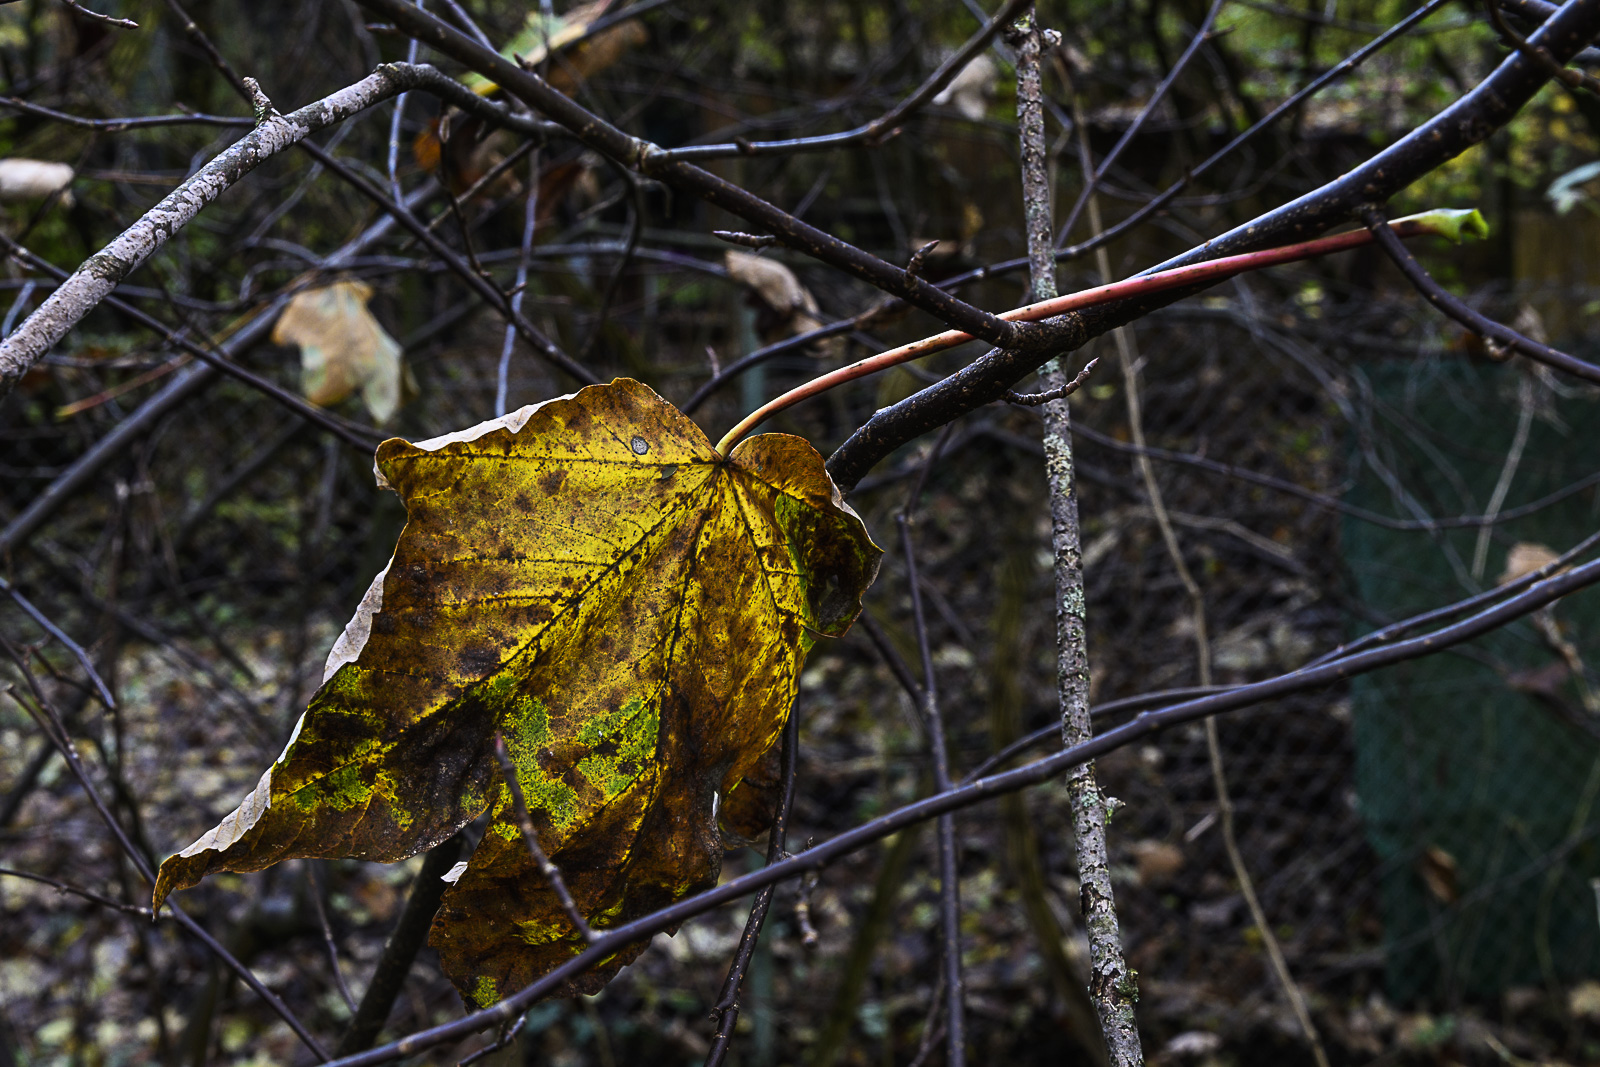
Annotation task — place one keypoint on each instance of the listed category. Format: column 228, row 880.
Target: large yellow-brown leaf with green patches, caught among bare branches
column 628, row 609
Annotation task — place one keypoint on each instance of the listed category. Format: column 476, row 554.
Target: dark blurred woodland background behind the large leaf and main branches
column 1422, row 841
